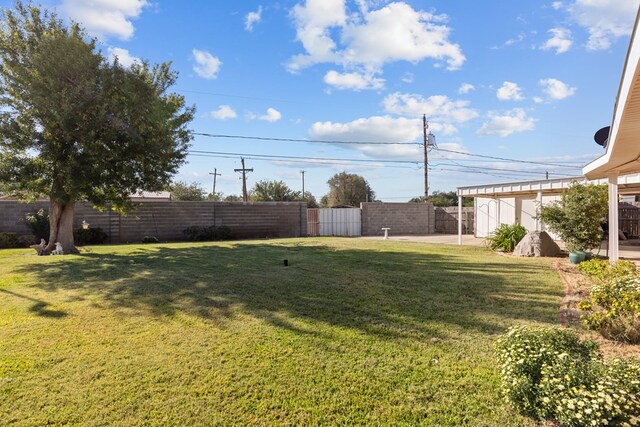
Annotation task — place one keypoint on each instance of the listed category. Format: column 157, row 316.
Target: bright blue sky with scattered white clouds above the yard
column 529, row 80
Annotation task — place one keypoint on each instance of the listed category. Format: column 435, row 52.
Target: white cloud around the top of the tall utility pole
column 442, row 112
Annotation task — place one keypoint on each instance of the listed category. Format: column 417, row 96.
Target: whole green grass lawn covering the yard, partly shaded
column 353, row 332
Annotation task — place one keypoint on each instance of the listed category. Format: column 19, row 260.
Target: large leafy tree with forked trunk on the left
column 77, row 127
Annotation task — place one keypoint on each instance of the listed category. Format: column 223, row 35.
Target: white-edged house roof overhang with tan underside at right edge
column 623, row 151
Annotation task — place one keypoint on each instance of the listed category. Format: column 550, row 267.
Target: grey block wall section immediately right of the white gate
column 401, row 218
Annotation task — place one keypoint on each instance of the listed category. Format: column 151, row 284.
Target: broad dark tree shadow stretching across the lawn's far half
column 382, row 292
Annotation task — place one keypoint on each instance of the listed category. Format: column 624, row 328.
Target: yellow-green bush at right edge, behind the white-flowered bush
column 613, row 309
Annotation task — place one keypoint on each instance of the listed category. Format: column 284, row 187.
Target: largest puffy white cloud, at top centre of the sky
column 370, row 38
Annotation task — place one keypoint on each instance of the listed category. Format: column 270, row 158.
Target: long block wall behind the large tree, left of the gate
column 167, row 220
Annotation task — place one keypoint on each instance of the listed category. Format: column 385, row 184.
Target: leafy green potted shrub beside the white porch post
column 576, row 219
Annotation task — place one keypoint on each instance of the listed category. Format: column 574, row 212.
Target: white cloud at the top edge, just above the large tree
column 104, row 17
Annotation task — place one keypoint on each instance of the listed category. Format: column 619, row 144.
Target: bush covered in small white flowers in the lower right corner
column 550, row 374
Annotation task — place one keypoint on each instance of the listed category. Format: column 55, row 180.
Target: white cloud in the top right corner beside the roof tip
column 605, row 20
